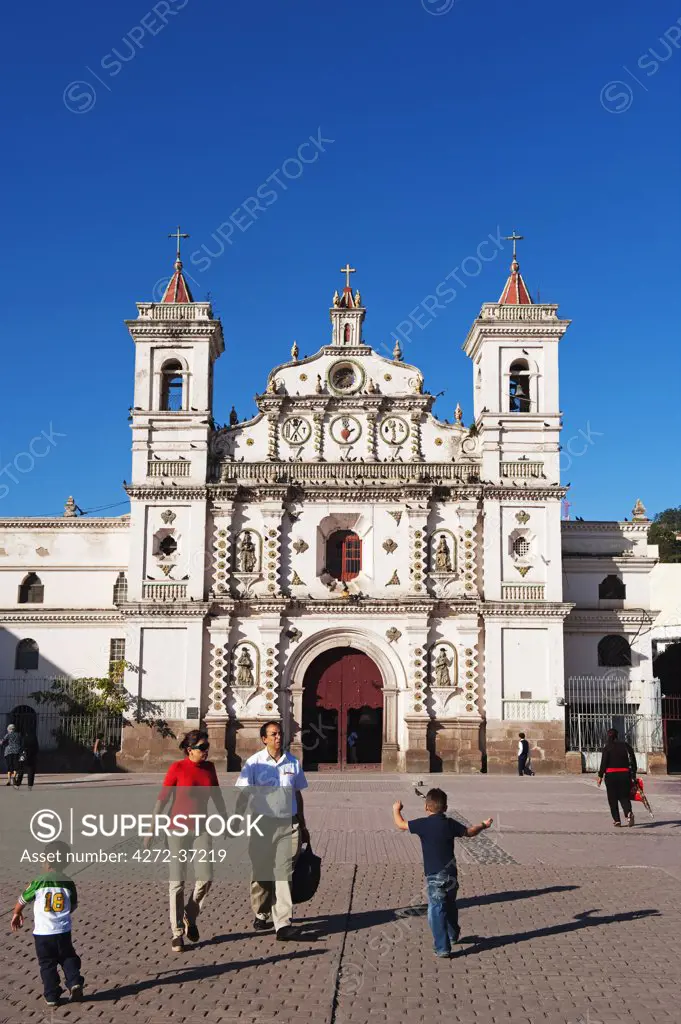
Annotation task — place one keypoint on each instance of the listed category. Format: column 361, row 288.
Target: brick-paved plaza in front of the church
column 565, row 919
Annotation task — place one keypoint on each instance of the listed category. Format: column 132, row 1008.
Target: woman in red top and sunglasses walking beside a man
column 185, row 782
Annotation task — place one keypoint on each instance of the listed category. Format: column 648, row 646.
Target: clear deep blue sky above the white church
column 444, row 123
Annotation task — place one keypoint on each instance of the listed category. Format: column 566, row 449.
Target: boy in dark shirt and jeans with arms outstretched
column 438, row 834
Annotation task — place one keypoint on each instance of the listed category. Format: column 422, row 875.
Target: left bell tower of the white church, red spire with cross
column 178, row 343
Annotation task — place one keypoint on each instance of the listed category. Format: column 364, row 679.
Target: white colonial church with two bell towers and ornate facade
column 401, row 591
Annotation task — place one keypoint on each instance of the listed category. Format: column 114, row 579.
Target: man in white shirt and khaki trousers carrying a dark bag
column 284, row 825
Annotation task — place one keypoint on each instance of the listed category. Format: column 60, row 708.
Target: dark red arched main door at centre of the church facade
column 343, row 711
